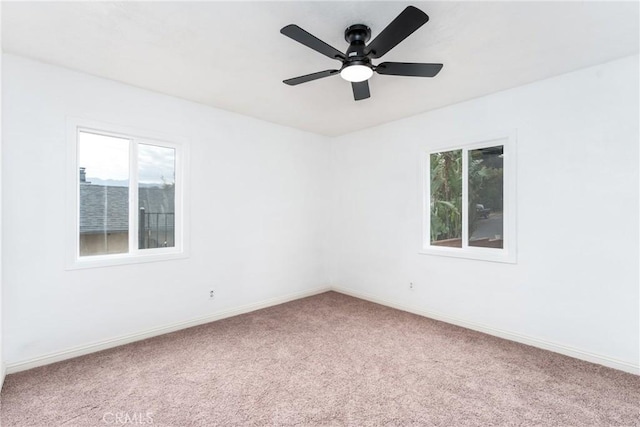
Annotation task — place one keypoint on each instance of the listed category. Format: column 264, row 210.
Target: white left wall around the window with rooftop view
column 258, row 202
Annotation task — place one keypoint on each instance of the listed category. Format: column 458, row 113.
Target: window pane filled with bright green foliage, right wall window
column 446, row 198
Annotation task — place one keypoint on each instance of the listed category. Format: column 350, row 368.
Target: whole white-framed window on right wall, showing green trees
column 469, row 200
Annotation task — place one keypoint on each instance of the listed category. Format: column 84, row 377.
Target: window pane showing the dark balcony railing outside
column 156, row 196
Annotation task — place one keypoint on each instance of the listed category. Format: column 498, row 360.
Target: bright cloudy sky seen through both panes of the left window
column 106, row 161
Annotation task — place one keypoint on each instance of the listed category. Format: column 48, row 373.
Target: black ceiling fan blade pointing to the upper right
column 399, row 29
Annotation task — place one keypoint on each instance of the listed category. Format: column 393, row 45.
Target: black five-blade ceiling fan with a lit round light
column 356, row 61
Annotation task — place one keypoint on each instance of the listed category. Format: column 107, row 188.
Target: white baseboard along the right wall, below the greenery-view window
column 513, row 336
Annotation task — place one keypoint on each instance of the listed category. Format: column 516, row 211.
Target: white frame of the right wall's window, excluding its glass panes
column 508, row 253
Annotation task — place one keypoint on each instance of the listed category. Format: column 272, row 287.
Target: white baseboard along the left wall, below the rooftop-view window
column 126, row 339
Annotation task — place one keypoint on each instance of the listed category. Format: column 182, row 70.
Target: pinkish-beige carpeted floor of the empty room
column 325, row 360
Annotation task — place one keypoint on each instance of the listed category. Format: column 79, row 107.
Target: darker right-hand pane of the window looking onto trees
column 486, row 197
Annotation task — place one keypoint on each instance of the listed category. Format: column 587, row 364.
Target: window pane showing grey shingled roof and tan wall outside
column 104, row 194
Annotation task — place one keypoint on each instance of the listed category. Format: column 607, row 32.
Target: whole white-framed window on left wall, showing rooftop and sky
column 128, row 204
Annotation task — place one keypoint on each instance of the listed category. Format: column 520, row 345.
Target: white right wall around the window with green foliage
column 575, row 285
